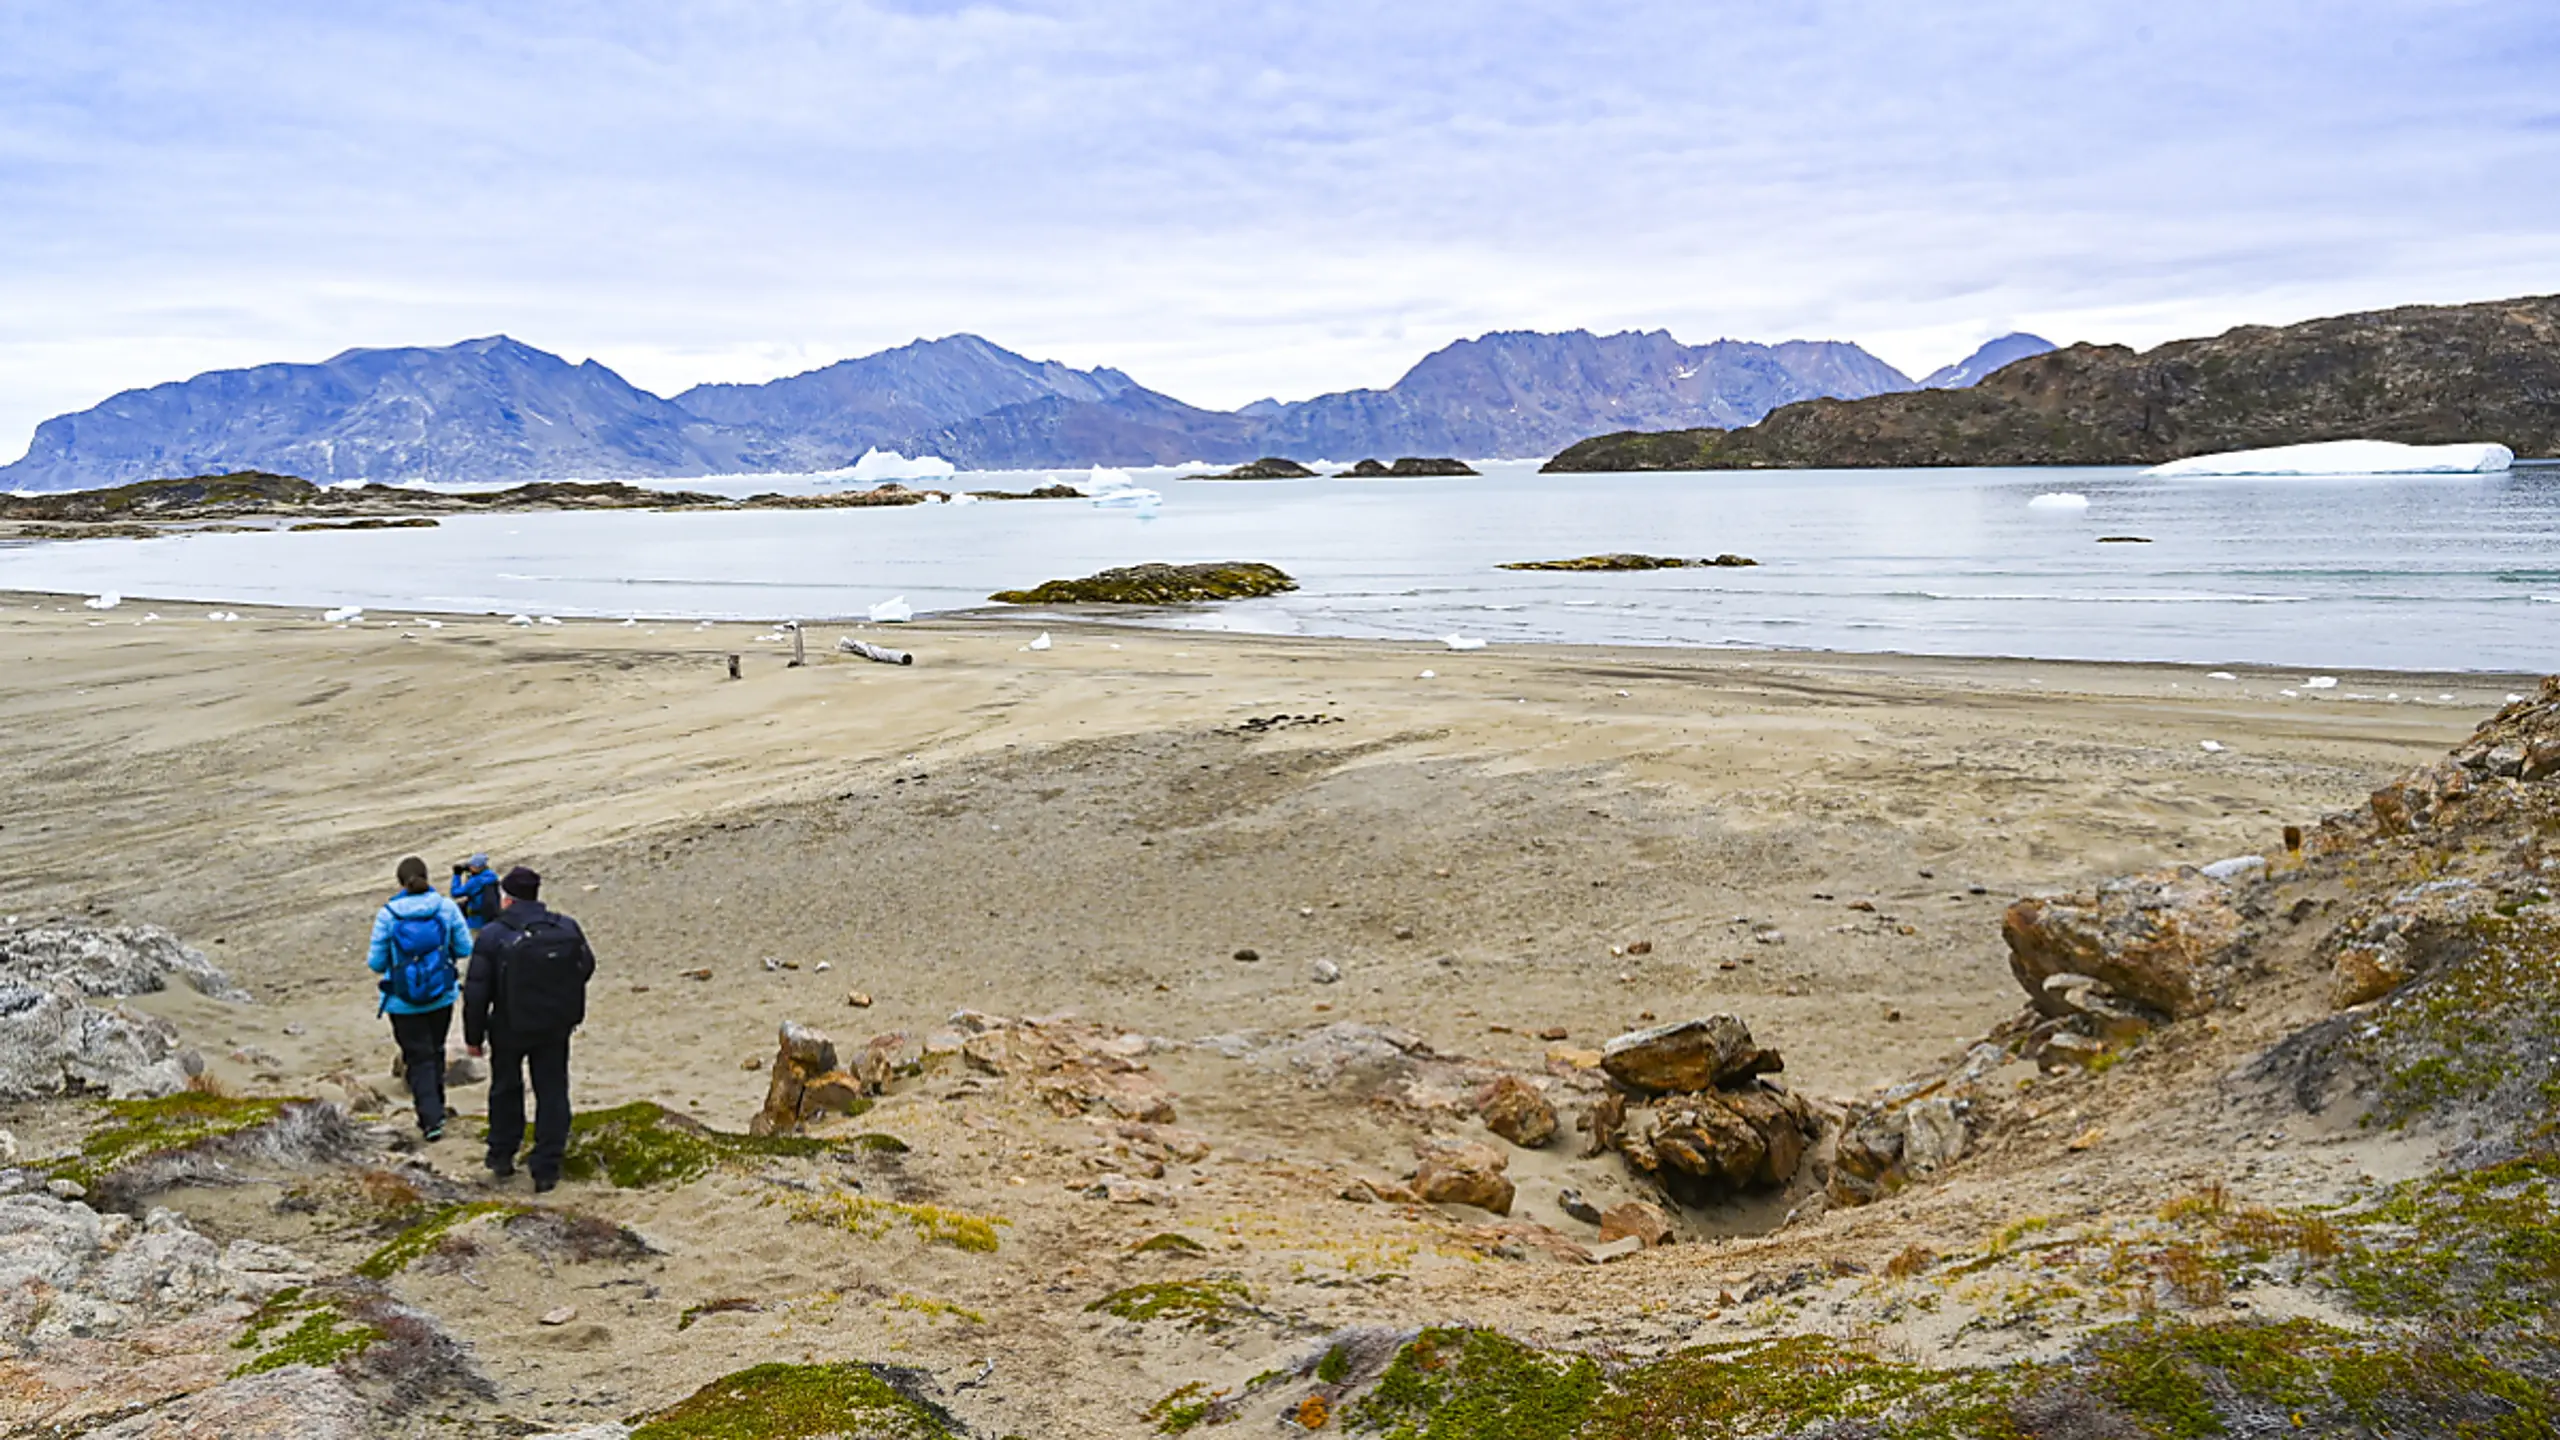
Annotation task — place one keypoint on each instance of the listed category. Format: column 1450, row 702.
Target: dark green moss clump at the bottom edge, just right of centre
column 1478, row 1385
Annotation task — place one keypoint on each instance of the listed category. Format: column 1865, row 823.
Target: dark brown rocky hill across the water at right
column 2420, row 375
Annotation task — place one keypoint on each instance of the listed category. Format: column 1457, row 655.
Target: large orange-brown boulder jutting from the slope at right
column 2159, row 939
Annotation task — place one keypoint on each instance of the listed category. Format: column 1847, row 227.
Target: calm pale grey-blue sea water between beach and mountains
column 2408, row 573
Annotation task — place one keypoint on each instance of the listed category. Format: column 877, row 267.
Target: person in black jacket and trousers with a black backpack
column 524, row 998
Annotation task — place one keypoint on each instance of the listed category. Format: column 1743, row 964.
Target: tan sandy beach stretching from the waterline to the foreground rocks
column 1519, row 842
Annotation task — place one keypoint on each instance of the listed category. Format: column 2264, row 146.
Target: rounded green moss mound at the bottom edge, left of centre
column 803, row 1403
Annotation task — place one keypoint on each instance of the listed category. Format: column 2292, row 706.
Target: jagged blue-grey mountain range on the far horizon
column 506, row 411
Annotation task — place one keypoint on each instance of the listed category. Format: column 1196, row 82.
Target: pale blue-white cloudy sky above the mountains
column 1238, row 201
